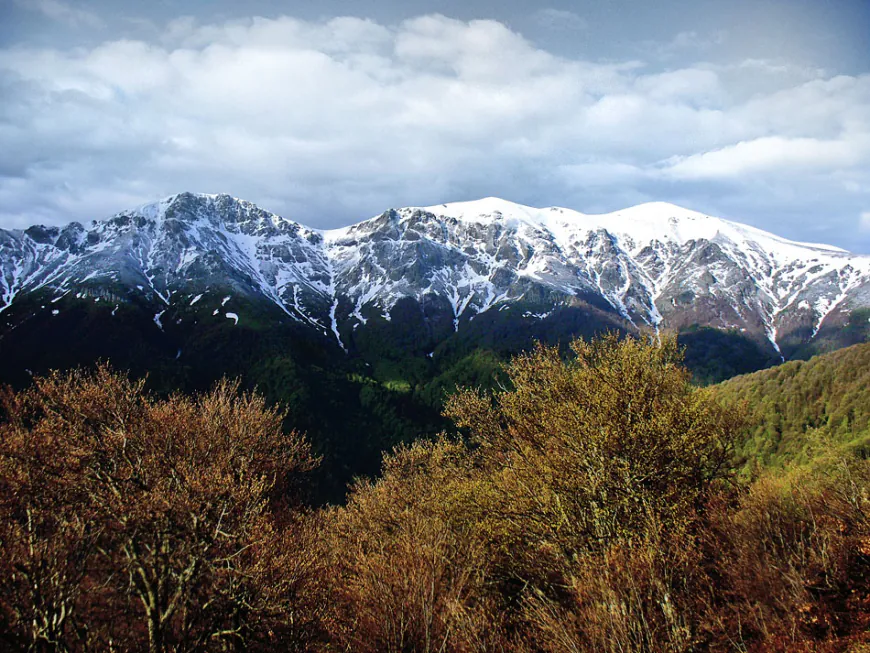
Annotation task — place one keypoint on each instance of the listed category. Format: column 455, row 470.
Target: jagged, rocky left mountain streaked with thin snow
column 174, row 247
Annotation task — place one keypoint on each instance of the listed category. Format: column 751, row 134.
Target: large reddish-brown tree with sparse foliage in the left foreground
column 168, row 502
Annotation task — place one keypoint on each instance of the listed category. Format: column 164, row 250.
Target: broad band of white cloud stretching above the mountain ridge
column 334, row 121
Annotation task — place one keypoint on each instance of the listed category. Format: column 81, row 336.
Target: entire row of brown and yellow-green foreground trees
column 591, row 505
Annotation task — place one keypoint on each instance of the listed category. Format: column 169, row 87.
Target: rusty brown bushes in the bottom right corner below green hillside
column 791, row 556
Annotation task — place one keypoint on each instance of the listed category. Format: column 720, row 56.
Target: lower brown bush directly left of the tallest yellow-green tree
column 406, row 579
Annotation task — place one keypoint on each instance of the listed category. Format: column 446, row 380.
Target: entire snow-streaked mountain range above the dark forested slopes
column 656, row 265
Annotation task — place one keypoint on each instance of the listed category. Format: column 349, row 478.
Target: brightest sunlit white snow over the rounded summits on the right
column 659, row 248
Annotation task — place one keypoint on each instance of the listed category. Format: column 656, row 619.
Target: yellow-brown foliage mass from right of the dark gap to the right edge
column 585, row 515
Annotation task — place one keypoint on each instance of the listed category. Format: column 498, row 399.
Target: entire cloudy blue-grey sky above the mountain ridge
column 331, row 111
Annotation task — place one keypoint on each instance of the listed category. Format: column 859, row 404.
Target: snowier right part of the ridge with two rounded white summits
column 655, row 265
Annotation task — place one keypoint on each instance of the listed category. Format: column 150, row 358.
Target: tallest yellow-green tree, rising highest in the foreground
column 596, row 469
